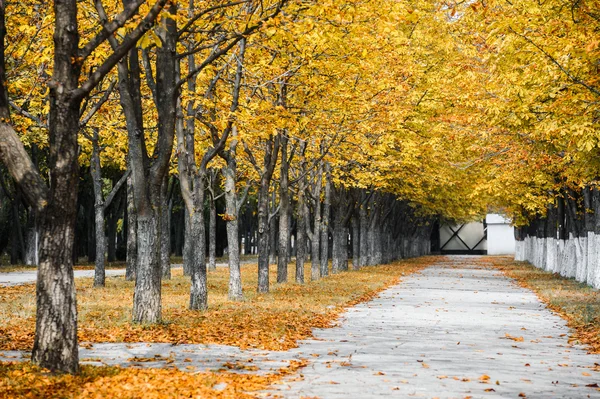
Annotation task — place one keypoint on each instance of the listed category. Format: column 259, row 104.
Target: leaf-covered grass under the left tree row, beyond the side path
column 273, row 321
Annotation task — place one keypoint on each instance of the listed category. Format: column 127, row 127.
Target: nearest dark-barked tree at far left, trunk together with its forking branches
column 55, row 345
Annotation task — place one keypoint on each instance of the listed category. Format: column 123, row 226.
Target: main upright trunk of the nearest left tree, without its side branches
column 55, row 344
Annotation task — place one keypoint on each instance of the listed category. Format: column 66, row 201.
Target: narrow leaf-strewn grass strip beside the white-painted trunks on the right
column 577, row 303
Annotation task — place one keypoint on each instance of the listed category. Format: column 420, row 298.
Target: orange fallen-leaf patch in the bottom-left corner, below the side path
column 24, row 380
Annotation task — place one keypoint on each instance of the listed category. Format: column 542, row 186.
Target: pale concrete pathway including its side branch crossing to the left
column 453, row 331
